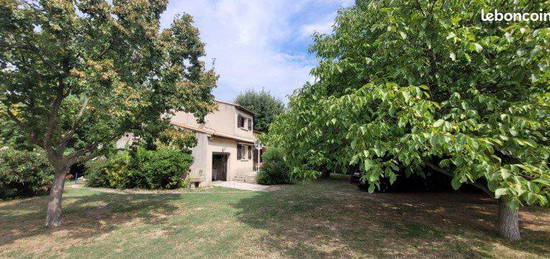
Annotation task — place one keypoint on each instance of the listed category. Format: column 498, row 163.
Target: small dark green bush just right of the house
column 274, row 169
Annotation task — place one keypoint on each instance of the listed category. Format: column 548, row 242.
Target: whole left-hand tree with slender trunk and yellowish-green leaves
column 77, row 75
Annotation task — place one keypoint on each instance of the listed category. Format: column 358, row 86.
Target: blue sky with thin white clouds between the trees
column 258, row 43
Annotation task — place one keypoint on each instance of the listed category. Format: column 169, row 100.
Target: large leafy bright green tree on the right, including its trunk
column 408, row 86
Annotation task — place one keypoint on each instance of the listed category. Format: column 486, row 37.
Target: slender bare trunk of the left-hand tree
column 53, row 219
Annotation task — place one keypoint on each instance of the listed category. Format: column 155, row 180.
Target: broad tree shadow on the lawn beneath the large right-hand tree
column 331, row 218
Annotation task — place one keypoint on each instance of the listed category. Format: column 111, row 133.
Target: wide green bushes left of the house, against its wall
column 164, row 168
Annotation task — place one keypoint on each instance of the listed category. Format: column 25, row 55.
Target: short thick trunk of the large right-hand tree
column 508, row 220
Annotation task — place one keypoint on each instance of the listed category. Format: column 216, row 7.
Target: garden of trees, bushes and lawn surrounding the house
column 441, row 118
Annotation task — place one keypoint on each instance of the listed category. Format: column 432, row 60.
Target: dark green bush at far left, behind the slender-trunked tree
column 24, row 174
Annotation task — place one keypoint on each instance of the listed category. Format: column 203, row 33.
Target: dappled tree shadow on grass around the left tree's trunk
column 84, row 216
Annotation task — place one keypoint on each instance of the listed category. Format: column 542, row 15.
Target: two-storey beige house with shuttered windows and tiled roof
column 225, row 149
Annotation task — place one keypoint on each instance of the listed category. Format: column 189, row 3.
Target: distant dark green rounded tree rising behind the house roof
column 266, row 107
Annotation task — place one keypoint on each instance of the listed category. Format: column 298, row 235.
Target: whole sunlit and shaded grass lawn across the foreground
column 329, row 218
